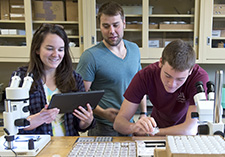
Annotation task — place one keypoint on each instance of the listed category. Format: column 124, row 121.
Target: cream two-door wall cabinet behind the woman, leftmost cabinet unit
column 15, row 47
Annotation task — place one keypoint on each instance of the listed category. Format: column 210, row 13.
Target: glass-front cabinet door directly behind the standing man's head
column 134, row 21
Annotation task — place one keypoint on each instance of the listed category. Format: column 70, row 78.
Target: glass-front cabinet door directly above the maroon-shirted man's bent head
column 170, row 20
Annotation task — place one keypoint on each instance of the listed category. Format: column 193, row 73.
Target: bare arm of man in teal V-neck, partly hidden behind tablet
column 109, row 113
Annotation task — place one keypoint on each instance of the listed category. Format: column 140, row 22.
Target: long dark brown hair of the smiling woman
column 64, row 78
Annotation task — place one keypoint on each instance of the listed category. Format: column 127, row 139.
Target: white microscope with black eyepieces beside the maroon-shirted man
column 209, row 109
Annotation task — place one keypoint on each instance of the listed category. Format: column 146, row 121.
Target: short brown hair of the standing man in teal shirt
column 110, row 8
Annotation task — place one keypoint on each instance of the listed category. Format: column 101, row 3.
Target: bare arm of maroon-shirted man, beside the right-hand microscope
column 189, row 127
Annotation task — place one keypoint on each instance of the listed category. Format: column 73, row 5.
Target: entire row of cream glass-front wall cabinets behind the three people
column 152, row 24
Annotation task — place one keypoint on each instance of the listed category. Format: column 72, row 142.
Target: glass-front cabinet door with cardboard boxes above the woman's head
column 66, row 14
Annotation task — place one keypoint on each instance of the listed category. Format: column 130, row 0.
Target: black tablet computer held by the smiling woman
column 67, row 102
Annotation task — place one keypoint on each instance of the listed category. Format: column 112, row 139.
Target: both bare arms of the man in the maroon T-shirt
column 145, row 125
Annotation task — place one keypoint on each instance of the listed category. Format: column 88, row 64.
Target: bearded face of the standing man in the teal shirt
column 112, row 29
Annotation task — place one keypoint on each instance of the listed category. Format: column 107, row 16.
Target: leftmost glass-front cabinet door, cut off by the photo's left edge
column 13, row 37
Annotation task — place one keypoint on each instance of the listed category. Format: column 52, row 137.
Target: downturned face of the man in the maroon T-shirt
column 172, row 79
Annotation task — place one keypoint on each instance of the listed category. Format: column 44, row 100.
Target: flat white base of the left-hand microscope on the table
column 21, row 145
